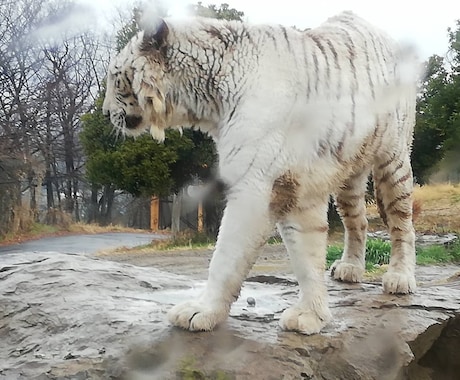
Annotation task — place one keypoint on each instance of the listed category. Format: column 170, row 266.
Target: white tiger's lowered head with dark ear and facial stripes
column 137, row 86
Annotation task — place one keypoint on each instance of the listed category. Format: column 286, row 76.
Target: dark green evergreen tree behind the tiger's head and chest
column 141, row 166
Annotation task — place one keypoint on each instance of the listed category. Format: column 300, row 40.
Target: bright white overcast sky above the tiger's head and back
column 423, row 23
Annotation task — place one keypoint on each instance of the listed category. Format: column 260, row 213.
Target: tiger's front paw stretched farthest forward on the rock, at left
column 197, row 315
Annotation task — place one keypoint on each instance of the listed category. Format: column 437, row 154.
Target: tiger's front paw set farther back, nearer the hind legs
column 303, row 320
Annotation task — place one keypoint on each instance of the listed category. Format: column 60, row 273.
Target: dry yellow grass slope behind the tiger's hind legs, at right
column 439, row 209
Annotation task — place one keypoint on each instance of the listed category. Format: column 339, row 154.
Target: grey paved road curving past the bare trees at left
column 83, row 244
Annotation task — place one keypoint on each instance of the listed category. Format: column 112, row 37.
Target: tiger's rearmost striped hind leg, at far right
column 394, row 184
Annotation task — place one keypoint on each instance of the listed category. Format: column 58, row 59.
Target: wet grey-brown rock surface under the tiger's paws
column 65, row 316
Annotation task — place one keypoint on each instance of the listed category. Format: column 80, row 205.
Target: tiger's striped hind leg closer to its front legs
column 351, row 205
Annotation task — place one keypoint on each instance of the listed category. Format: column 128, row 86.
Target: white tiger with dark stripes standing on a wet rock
column 296, row 116
